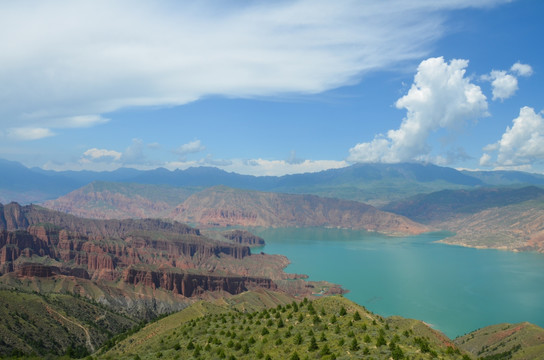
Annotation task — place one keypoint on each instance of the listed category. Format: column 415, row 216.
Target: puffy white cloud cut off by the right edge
column 520, row 145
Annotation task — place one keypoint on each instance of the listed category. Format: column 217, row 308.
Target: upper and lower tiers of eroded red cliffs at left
column 107, row 250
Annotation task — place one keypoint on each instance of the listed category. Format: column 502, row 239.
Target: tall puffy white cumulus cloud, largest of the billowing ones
column 440, row 97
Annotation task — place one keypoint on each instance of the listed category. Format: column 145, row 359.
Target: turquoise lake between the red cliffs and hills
column 454, row 289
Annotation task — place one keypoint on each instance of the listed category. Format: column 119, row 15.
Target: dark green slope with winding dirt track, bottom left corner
column 55, row 324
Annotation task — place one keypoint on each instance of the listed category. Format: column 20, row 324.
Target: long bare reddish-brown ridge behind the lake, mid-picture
column 222, row 206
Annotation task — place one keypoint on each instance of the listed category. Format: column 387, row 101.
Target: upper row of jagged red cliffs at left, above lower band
column 102, row 258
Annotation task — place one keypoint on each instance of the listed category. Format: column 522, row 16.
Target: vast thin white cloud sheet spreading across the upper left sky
column 67, row 59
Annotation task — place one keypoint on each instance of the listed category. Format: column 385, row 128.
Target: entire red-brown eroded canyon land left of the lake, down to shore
column 120, row 261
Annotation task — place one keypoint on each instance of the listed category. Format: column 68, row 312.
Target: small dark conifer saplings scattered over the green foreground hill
column 288, row 332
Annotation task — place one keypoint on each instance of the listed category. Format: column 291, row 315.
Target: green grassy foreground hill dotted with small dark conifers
column 327, row 328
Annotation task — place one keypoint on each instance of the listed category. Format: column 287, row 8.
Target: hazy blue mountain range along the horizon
column 376, row 184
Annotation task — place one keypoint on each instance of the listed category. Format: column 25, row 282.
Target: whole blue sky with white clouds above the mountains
column 272, row 88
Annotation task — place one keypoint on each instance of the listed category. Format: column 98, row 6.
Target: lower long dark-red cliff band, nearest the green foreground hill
column 188, row 284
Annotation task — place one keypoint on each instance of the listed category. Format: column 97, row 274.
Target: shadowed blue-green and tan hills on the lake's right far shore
column 499, row 218
